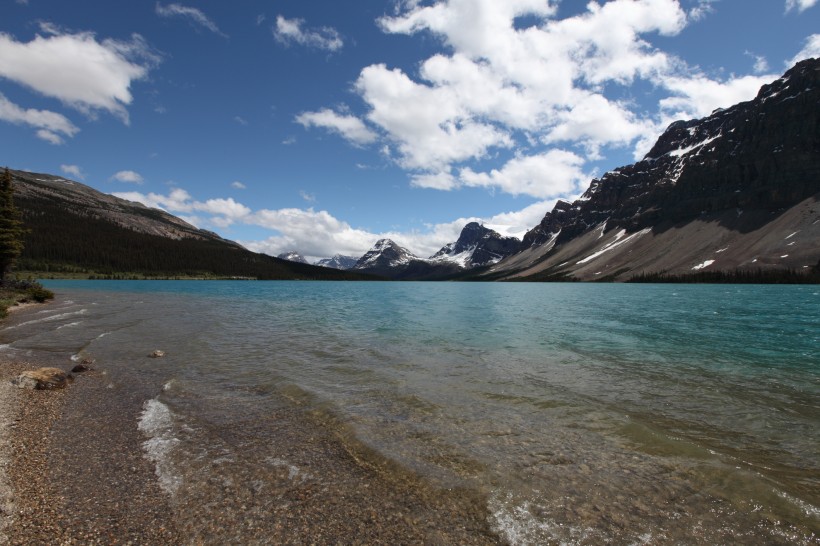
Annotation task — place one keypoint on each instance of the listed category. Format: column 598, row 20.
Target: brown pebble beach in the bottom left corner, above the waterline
column 49, row 497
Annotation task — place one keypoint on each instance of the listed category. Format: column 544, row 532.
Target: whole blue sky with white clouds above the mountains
column 321, row 126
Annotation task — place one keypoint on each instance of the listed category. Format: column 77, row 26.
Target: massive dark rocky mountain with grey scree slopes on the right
column 733, row 193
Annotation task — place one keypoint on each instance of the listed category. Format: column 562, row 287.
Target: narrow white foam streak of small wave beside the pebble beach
column 157, row 422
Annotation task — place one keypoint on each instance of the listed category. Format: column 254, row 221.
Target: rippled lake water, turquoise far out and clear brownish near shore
column 581, row 413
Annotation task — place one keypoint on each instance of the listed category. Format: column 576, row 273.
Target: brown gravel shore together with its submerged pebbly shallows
column 73, row 469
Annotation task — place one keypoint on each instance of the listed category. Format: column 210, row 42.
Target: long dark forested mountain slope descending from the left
column 75, row 229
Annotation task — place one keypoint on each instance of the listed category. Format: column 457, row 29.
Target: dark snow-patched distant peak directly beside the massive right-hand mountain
column 477, row 246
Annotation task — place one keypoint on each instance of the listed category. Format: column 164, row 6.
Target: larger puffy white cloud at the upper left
column 77, row 69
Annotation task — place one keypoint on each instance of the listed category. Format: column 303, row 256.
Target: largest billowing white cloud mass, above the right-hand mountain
column 504, row 92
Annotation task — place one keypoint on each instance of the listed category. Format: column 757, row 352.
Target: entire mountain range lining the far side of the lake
column 732, row 196
